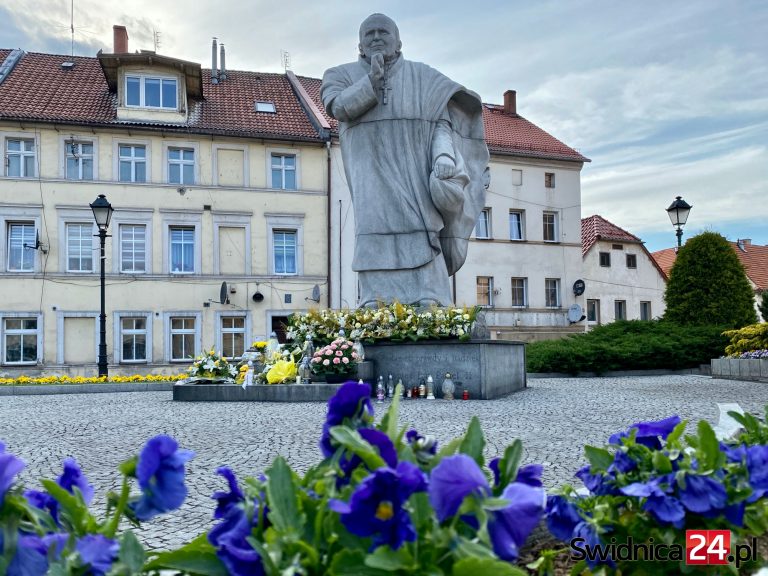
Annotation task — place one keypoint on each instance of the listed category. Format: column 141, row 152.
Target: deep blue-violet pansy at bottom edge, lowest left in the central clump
column 229, row 537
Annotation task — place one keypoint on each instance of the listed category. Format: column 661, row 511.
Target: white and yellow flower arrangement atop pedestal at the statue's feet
column 396, row 322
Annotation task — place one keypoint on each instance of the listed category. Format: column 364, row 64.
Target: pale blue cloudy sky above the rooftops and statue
column 667, row 98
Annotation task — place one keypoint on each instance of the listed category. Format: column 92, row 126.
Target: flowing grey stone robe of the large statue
column 411, row 229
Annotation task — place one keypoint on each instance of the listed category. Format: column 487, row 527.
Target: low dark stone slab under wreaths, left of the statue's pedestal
column 319, row 392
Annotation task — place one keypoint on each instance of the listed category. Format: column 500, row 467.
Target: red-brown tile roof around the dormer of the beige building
column 38, row 89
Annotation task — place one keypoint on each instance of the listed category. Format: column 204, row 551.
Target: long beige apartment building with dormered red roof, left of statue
column 213, row 176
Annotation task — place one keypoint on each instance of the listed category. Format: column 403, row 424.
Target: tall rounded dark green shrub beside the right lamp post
column 708, row 285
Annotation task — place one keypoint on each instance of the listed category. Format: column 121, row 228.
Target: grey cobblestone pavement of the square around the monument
column 553, row 417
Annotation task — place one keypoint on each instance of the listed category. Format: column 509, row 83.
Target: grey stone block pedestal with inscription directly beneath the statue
column 485, row 368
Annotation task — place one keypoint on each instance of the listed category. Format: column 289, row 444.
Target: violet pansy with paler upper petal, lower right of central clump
column 509, row 527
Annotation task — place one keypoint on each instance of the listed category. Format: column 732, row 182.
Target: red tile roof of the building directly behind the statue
column 505, row 133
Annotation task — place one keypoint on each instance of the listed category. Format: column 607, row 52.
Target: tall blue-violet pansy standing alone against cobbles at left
column 160, row 472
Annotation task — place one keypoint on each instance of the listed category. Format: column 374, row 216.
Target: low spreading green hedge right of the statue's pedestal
column 629, row 345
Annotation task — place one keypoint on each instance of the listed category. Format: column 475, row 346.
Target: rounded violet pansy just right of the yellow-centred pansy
column 452, row 480
